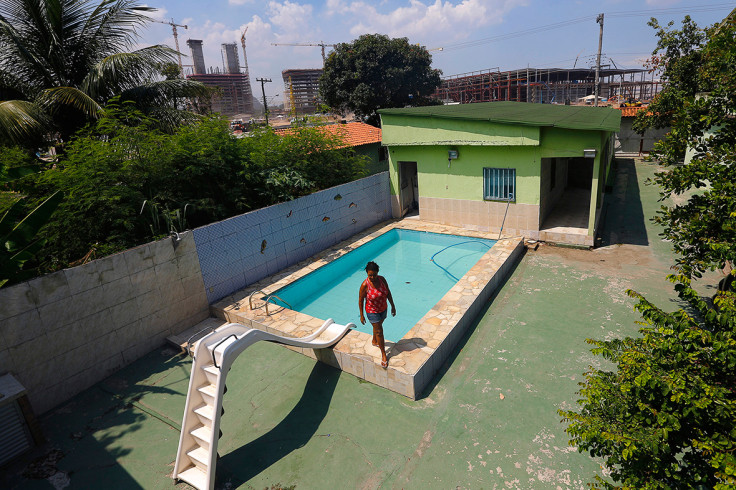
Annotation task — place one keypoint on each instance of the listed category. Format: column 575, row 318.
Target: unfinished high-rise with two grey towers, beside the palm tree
column 236, row 96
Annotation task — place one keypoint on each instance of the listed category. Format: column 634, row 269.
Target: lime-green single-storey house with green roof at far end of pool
column 538, row 170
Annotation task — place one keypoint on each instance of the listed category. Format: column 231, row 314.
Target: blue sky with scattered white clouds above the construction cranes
column 474, row 35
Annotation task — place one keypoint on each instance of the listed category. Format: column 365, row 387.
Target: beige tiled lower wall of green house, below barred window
column 521, row 219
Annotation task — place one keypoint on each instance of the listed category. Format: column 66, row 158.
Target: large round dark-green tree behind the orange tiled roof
column 377, row 72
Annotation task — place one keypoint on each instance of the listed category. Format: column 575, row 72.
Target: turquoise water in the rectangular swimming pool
column 403, row 256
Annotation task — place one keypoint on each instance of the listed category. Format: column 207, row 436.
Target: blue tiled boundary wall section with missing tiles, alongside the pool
column 244, row 249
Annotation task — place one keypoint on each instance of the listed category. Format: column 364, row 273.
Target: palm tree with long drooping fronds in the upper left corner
column 62, row 60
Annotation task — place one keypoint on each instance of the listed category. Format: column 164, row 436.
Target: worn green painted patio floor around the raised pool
column 487, row 421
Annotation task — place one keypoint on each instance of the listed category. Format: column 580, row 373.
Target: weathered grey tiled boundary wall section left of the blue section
column 61, row 333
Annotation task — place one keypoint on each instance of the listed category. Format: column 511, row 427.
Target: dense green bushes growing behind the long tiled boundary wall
column 127, row 182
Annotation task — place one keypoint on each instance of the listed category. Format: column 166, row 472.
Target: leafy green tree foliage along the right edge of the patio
column 665, row 415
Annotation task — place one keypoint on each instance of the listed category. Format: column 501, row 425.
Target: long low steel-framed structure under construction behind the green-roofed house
column 548, row 86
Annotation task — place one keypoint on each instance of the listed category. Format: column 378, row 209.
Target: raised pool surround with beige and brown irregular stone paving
column 416, row 358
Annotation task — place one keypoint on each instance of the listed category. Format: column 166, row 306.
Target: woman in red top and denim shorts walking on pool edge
column 374, row 291
